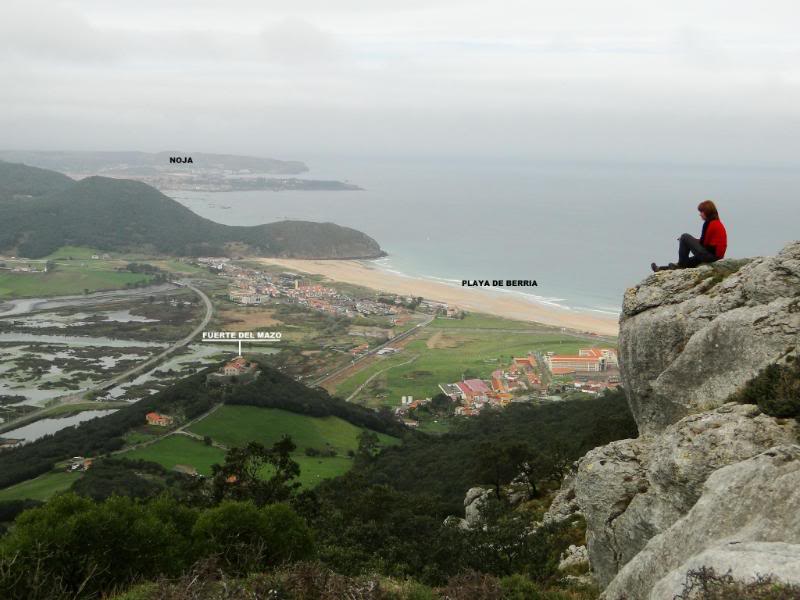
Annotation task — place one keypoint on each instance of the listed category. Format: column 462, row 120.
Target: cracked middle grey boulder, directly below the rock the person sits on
column 632, row 490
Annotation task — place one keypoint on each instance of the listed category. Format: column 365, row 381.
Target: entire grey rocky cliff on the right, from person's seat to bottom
column 709, row 482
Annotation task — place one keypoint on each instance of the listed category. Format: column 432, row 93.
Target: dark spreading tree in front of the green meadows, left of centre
column 242, row 475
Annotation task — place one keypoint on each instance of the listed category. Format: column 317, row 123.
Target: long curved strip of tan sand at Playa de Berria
column 511, row 306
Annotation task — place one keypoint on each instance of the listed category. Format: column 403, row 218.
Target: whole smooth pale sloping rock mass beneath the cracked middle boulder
column 745, row 520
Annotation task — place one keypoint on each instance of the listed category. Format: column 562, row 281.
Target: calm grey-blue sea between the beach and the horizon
column 583, row 231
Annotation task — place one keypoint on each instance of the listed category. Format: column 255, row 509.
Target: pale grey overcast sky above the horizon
column 646, row 80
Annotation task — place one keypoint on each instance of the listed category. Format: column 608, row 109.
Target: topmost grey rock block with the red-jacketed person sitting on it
column 690, row 338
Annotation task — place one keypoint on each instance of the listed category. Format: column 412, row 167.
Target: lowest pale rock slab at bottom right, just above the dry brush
column 745, row 561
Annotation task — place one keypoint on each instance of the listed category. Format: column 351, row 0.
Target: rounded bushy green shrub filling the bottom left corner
column 78, row 546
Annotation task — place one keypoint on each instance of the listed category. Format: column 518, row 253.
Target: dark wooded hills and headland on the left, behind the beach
column 123, row 215
